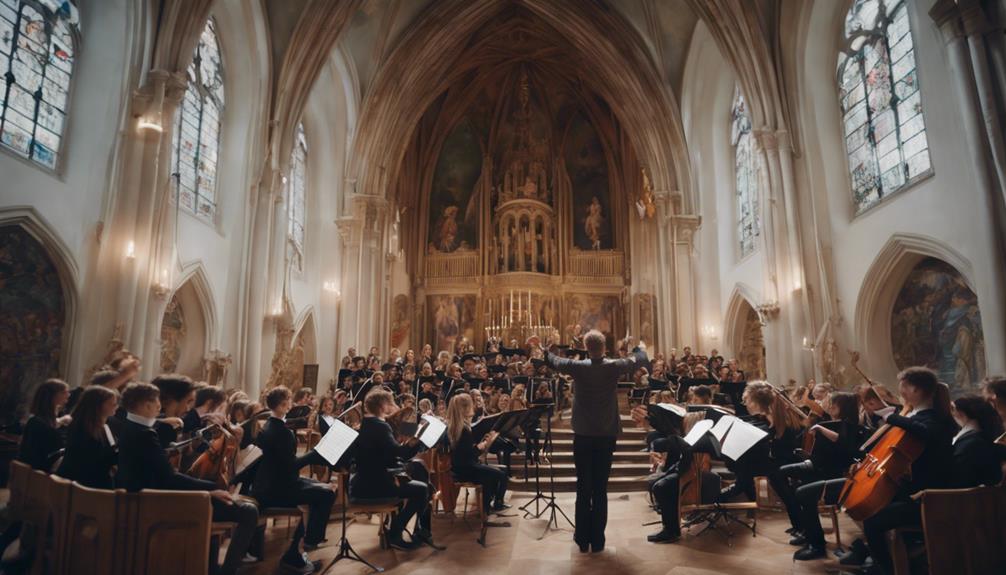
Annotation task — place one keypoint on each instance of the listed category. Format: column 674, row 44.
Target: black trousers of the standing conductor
column 593, row 459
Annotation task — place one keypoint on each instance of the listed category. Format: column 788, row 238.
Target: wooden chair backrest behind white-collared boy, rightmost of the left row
column 172, row 532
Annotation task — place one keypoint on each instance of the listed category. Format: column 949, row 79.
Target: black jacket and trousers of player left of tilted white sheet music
column 278, row 482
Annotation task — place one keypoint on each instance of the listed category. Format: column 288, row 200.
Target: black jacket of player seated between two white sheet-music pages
column 377, row 453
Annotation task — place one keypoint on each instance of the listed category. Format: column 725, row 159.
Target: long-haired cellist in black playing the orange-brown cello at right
column 930, row 422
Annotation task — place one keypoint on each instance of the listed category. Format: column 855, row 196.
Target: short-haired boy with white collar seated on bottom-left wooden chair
column 144, row 465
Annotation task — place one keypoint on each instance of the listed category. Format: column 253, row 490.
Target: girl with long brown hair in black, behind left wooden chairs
column 91, row 449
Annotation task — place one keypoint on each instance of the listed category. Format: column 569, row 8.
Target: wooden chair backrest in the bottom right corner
column 965, row 532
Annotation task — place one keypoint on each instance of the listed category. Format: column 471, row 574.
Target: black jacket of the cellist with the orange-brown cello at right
column 932, row 469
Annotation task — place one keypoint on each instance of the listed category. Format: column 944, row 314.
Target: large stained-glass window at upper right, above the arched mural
column 882, row 106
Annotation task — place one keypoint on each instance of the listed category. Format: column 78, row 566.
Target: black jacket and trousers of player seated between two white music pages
column 379, row 455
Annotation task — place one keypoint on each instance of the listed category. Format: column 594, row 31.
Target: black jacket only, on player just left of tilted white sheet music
column 278, row 471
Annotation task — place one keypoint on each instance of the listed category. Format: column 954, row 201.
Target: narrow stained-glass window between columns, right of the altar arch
column 747, row 163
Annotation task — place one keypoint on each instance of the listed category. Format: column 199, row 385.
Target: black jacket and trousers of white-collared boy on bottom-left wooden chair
column 143, row 464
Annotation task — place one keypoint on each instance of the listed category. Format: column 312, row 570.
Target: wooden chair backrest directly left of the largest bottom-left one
column 94, row 545
